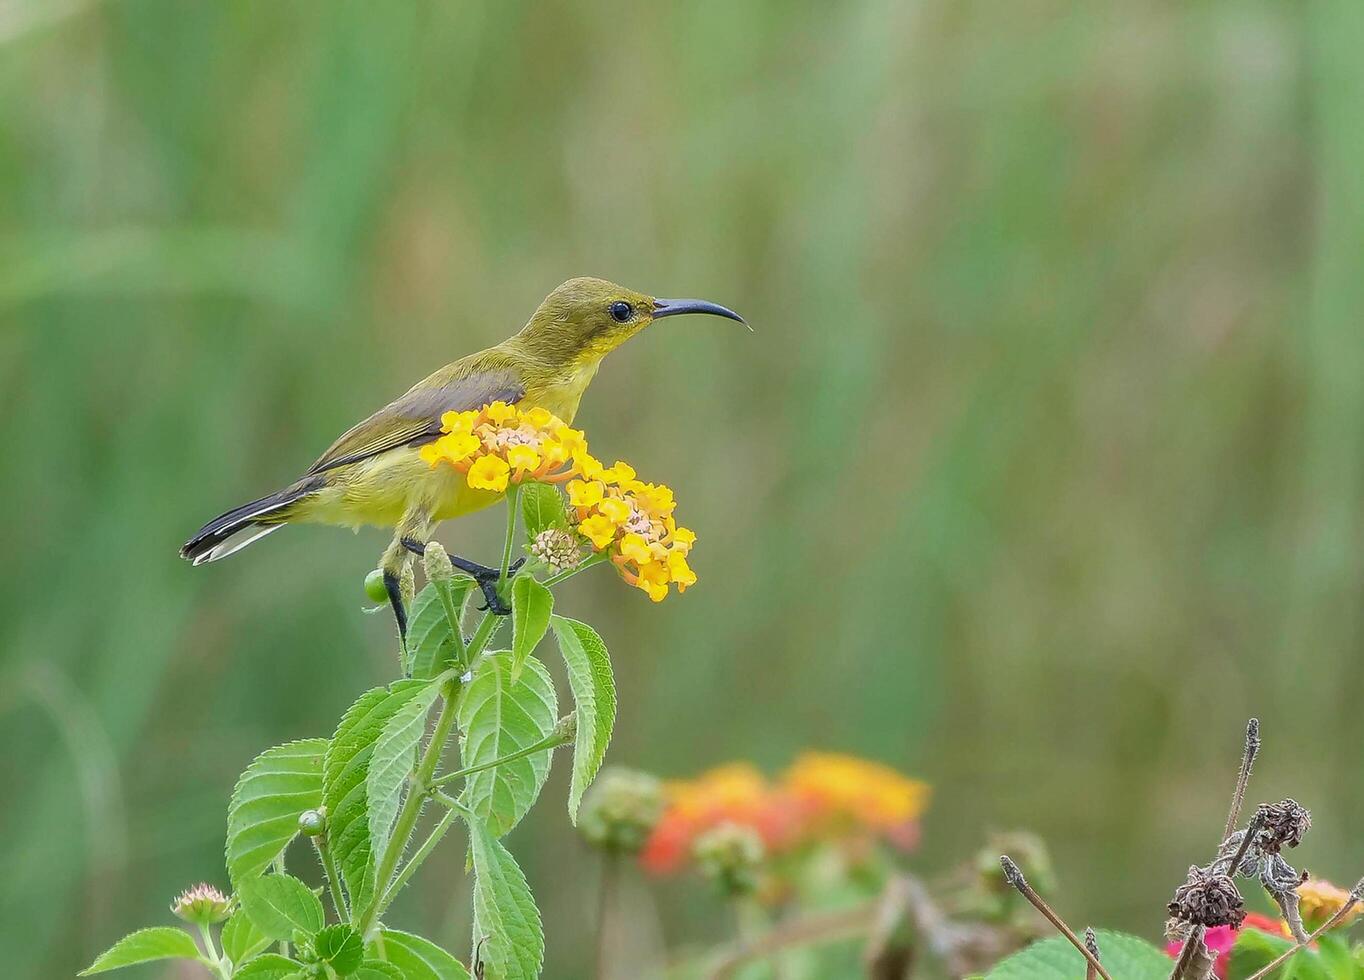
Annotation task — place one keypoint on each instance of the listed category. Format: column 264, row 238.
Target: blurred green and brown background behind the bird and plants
column 1043, row 472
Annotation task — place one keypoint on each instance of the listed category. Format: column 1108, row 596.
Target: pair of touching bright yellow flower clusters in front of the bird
column 627, row 519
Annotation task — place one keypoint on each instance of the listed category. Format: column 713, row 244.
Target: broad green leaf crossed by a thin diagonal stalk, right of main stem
column 499, row 717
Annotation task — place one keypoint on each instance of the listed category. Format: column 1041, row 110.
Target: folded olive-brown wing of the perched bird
column 415, row 417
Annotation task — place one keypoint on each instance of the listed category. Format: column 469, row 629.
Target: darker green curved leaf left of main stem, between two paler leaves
column 346, row 783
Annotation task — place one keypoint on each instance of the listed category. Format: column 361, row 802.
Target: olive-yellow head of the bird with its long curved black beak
column 587, row 319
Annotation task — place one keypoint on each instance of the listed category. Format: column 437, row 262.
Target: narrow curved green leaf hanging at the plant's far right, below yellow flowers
column 594, row 695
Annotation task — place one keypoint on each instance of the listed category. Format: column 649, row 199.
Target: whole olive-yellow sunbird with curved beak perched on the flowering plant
column 374, row 474
